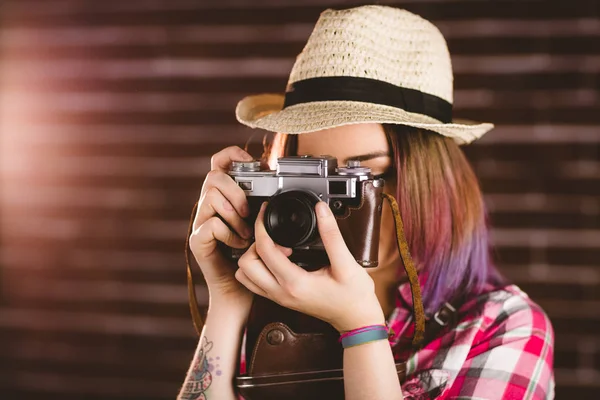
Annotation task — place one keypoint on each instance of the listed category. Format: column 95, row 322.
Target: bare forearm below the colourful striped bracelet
column 370, row 372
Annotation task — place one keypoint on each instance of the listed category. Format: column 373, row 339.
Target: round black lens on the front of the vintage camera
column 290, row 218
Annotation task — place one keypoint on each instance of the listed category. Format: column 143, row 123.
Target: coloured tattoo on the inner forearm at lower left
column 200, row 376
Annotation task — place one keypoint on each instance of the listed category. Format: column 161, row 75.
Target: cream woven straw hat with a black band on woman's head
column 373, row 64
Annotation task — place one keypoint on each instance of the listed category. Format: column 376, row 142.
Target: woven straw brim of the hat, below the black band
column 265, row 111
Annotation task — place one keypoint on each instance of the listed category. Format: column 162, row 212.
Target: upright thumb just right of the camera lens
column 331, row 236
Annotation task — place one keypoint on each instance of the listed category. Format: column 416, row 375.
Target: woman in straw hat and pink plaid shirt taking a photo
column 374, row 83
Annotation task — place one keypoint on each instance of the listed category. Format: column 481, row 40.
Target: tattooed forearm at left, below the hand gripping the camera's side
column 213, row 368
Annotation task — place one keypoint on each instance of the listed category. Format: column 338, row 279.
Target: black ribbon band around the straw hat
column 366, row 90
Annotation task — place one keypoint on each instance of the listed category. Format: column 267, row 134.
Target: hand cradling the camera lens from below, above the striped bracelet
column 342, row 294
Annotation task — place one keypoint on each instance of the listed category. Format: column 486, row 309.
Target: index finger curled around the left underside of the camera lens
column 272, row 255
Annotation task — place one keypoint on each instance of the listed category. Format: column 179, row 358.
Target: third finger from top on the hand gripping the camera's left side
column 214, row 203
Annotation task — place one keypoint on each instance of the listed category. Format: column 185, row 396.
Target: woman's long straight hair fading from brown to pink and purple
column 442, row 208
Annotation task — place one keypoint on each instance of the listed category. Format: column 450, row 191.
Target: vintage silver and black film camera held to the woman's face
column 293, row 190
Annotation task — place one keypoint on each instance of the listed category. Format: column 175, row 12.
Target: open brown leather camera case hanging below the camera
column 283, row 363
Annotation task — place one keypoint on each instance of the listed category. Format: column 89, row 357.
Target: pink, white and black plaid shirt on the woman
column 501, row 348
